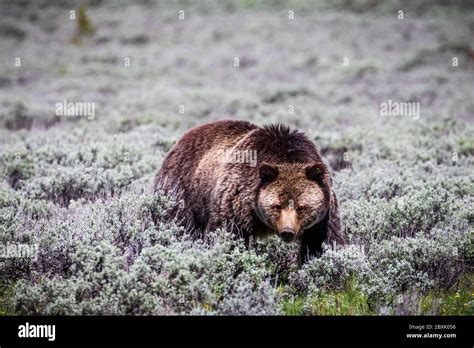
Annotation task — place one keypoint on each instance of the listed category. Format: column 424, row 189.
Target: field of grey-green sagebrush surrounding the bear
column 77, row 189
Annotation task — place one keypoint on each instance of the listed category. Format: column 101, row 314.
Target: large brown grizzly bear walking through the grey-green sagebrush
column 285, row 189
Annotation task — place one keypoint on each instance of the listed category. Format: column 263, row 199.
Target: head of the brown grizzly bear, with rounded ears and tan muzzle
column 292, row 197
